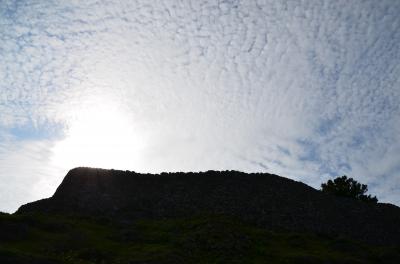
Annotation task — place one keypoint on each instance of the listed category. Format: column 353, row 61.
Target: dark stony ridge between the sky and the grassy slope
column 260, row 199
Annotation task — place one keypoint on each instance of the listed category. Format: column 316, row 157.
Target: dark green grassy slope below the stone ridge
column 202, row 239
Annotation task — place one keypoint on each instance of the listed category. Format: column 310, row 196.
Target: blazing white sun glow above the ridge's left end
column 99, row 135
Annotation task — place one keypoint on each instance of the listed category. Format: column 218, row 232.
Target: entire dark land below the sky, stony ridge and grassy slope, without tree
column 109, row 216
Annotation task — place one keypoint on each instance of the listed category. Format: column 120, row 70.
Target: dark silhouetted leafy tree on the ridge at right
column 348, row 187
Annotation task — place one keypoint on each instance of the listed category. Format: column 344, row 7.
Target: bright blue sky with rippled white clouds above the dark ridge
column 309, row 90
